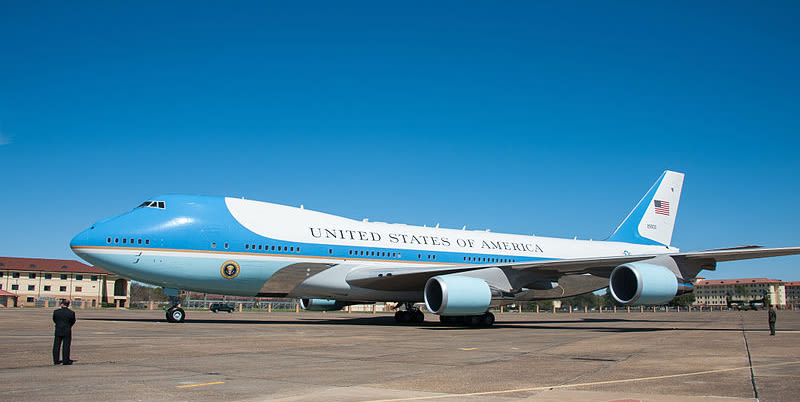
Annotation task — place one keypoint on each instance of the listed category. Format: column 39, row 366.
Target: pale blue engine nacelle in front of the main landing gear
column 457, row 295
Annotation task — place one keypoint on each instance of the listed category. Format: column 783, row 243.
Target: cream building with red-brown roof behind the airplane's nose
column 33, row 281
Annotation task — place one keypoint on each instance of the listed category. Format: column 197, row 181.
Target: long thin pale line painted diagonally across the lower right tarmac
column 586, row 384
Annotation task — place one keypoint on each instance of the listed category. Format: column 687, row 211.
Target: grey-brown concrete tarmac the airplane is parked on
column 134, row 355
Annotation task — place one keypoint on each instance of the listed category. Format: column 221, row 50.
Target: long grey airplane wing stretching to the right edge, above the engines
column 414, row 278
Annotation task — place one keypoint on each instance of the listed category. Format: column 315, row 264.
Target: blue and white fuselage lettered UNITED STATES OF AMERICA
column 184, row 241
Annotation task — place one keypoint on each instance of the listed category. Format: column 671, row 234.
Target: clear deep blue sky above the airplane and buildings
column 523, row 117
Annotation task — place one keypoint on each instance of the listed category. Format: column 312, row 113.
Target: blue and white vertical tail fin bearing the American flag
column 653, row 218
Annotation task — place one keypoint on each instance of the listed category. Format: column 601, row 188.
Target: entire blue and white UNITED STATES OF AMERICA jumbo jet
column 248, row 248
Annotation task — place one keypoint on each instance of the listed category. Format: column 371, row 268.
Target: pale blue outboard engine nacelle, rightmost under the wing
column 643, row 283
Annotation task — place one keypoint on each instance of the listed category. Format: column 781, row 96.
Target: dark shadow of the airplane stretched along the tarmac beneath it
column 578, row 325
